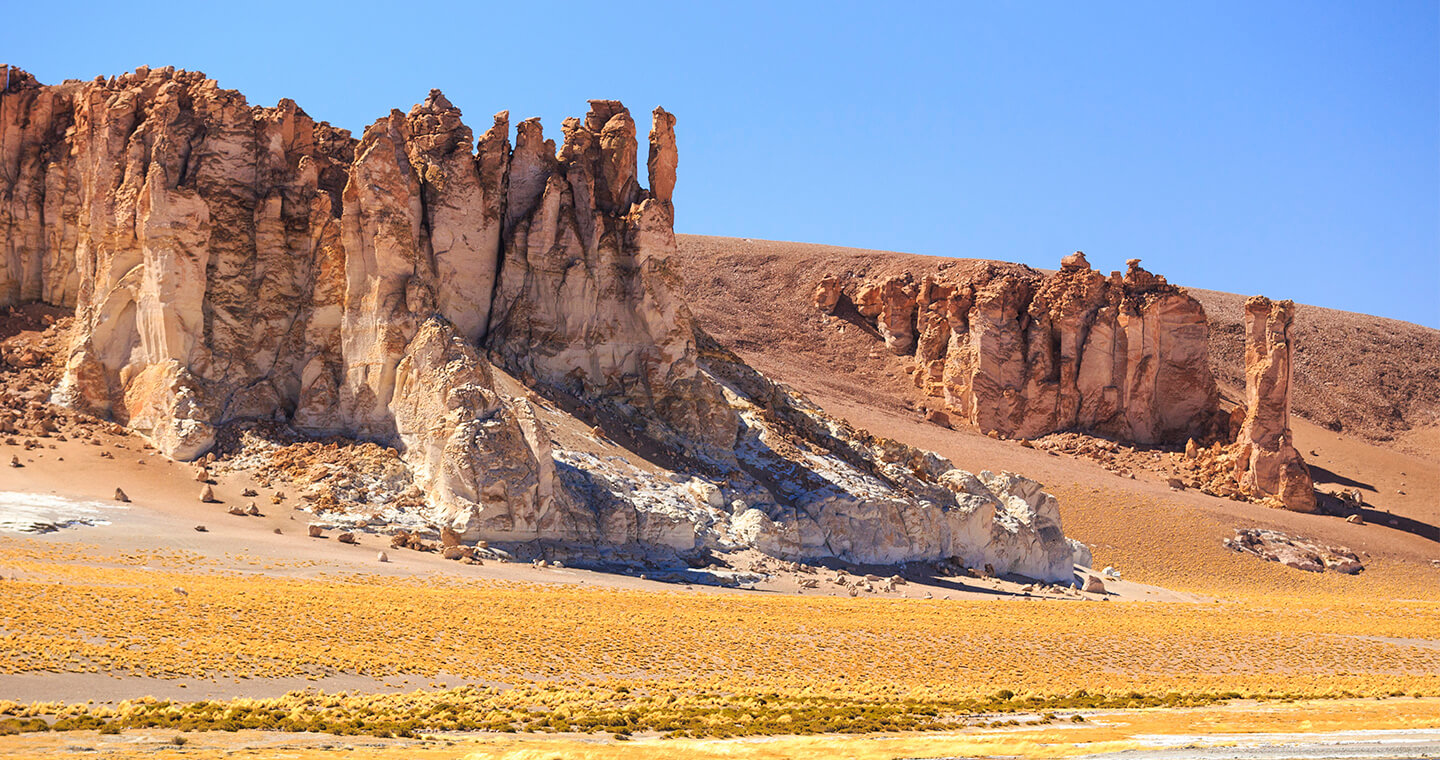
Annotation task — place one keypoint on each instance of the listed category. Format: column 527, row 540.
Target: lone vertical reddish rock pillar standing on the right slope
column 1272, row 466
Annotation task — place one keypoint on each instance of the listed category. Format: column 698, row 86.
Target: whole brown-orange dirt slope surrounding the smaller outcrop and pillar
column 1379, row 382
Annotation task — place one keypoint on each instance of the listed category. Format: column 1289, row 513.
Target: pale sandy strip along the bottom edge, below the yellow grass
column 1353, row 730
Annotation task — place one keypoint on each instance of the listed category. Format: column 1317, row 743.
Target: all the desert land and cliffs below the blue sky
column 414, row 445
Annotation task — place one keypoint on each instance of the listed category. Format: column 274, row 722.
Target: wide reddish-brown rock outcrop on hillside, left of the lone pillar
column 1023, row 355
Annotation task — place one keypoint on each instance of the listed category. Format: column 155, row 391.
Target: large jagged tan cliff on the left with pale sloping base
column 231, row 264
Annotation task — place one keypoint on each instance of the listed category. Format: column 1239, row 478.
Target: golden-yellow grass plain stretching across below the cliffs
column 578, row 659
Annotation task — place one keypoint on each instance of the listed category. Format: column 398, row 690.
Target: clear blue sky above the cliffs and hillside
column 1258, row 148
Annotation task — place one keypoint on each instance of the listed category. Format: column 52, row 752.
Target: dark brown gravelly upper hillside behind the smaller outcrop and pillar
column 1367, row 376
